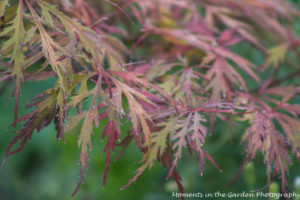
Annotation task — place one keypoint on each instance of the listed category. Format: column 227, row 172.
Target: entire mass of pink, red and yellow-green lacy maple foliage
column 169, row 68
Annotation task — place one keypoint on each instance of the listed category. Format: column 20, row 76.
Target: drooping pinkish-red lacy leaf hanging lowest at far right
column 262, row 136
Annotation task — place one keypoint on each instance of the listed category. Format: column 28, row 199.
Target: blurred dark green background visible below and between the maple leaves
column 47, row 169
